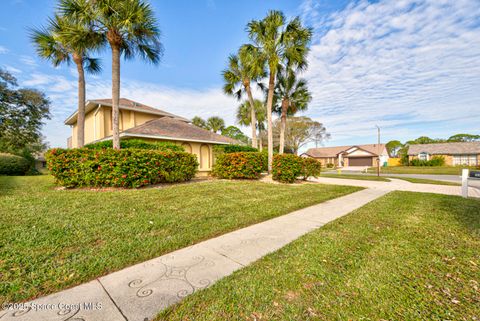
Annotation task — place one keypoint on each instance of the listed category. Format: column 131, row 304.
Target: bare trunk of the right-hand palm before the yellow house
column 115, row 96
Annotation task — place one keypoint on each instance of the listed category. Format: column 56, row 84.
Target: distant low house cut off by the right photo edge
column 467, row 153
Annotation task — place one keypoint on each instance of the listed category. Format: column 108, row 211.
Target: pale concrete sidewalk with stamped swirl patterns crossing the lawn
column 139, row 292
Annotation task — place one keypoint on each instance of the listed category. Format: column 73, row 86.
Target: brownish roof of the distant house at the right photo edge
column 445, row 148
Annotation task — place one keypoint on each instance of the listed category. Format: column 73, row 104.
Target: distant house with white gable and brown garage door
column 348, row 156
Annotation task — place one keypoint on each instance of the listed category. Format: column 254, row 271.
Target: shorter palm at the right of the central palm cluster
column 292, row 94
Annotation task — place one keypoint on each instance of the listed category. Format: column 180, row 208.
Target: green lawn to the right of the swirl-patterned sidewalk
column 405, row 256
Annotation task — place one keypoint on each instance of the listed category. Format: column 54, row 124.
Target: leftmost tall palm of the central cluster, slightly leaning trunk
column 247, row 66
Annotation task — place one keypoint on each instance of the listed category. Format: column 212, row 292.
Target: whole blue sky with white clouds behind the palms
column 410, row 67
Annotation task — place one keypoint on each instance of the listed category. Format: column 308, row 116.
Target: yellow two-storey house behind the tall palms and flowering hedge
column 144, row 122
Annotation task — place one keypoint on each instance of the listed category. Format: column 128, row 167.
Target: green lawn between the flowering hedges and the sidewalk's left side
column 52, row 239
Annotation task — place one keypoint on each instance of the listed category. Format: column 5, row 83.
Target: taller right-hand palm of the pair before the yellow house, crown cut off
column 129, row 27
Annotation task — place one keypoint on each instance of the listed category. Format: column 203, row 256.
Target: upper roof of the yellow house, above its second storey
column 124, row 104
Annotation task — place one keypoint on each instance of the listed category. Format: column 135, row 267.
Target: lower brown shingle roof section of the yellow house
column 175, row 129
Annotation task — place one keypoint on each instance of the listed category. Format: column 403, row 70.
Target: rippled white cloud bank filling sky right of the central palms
column 411, row 67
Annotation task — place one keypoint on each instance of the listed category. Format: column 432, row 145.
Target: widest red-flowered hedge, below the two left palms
column 119, row 168
